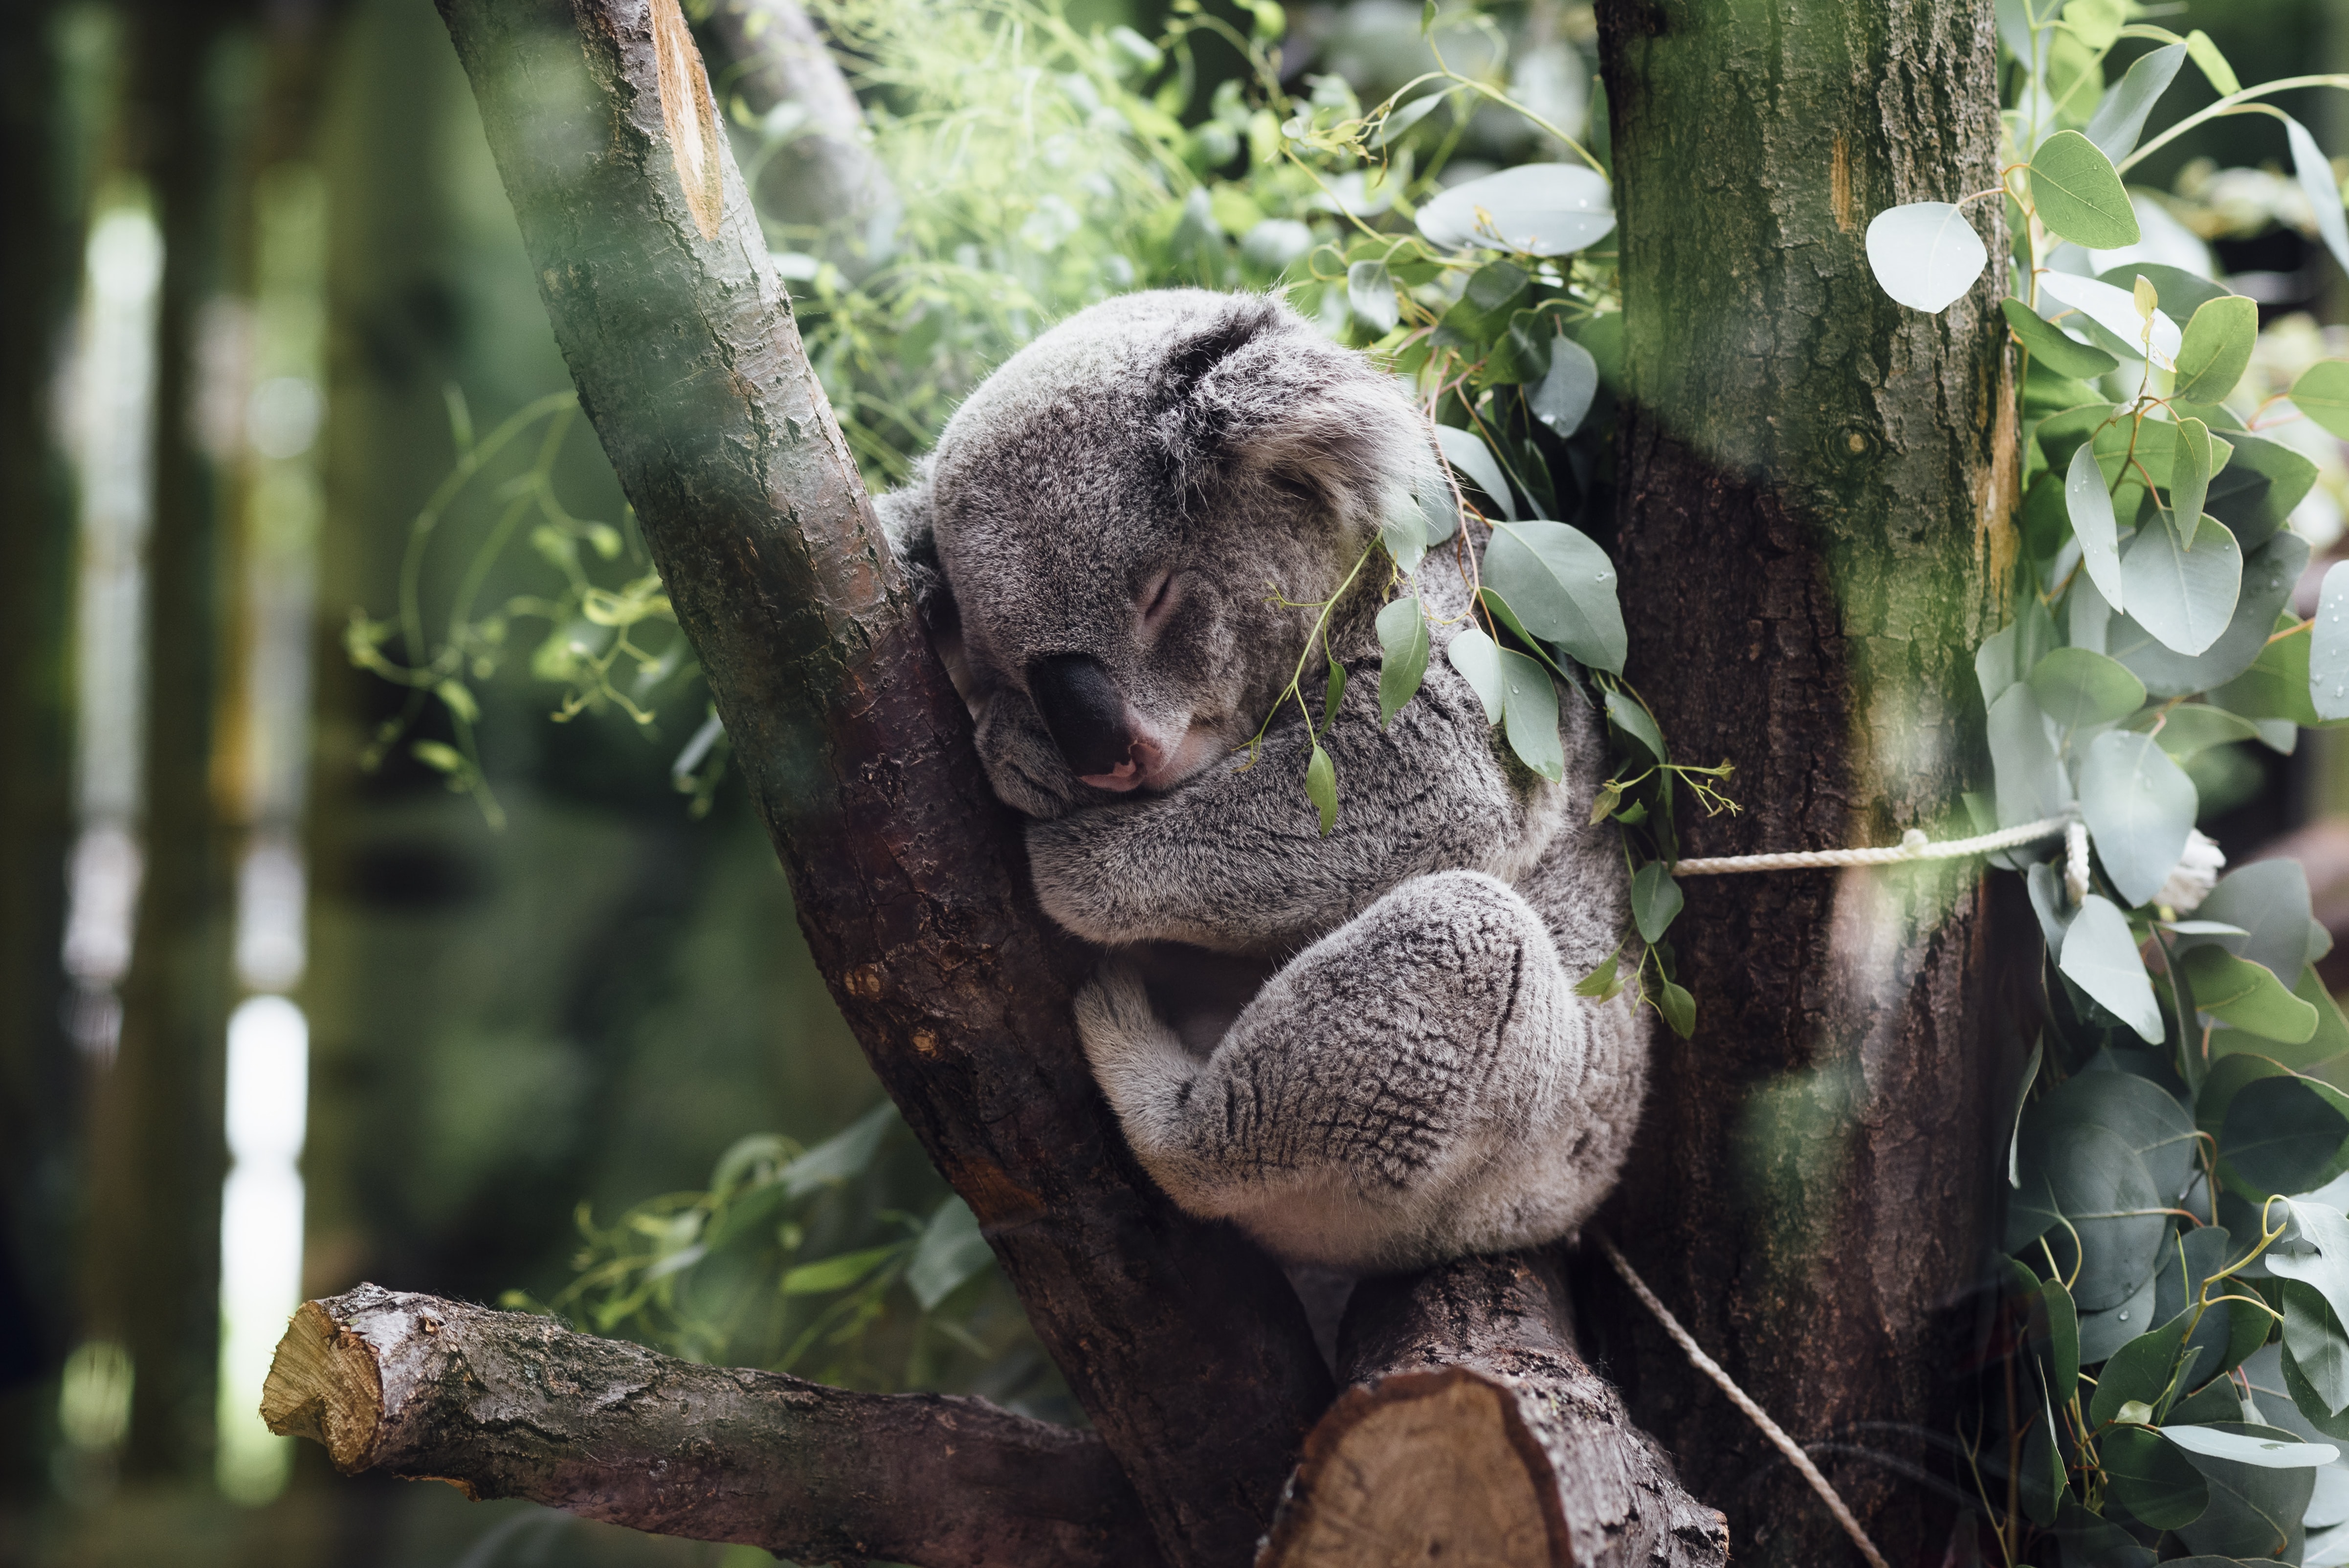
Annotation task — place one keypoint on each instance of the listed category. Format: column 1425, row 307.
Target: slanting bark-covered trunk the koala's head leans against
column 1185, row 1346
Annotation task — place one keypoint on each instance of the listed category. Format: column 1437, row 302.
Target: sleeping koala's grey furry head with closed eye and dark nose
column 1115, row 513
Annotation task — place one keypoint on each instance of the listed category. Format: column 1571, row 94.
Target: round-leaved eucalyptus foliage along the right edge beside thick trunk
column 2181, row 1257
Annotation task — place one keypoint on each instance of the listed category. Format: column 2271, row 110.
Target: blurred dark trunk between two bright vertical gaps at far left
column 156, row 1142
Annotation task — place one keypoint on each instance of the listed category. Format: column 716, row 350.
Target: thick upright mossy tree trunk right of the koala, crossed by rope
column 1815, row 532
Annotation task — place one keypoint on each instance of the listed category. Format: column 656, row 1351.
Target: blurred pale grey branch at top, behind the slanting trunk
column 826, row 180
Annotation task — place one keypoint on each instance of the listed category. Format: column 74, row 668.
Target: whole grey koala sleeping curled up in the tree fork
column 1366, row 1048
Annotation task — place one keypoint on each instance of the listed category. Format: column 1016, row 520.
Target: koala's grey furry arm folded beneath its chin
column 1237, row 860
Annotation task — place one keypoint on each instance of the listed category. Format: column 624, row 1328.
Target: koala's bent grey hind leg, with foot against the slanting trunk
column 1394, row 1095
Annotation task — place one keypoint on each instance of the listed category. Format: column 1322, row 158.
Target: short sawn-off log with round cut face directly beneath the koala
column 1474, row 1433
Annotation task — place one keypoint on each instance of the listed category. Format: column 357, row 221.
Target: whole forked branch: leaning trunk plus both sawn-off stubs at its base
column 1185, row 1344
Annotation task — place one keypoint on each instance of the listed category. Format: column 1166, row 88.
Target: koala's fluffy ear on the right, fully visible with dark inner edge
column 1260, row 398
